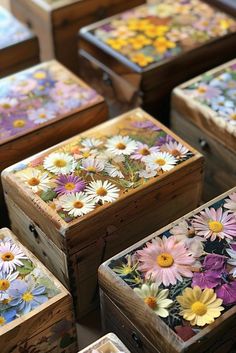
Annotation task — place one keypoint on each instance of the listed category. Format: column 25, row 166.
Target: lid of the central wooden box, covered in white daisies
column 103, row 168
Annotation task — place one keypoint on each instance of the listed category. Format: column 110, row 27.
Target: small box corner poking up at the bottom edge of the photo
column 107, row 344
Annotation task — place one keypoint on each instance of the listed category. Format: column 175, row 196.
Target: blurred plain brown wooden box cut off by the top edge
column 57, row 22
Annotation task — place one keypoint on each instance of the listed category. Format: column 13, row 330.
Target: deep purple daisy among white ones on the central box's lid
column 67, row 184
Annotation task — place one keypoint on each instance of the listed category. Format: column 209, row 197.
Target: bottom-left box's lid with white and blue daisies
column 28, row 292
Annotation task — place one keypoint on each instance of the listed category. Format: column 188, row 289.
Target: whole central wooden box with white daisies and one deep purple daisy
column 124, row 197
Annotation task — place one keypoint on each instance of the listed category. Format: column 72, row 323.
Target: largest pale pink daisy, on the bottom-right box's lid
column 165, row 261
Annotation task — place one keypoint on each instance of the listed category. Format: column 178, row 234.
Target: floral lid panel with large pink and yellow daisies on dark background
column 187, row 275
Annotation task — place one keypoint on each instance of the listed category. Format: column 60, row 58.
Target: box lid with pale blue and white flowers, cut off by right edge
column 209, row 101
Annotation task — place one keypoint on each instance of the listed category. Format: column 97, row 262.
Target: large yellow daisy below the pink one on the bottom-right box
column 200, row 307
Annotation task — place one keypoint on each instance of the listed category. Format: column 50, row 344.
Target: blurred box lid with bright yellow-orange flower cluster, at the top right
column 148, row 38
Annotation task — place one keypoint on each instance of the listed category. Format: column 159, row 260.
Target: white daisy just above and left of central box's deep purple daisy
column 60, row 163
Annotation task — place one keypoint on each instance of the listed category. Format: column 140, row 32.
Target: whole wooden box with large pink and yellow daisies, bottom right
column 175, row 291
